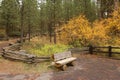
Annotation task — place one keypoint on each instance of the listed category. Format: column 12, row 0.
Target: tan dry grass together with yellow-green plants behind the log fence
column 42, row 47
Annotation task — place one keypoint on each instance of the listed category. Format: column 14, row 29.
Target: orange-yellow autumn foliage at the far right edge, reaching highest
column 113, row 24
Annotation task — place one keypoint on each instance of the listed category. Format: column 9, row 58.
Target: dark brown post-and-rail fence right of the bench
column 109, row 50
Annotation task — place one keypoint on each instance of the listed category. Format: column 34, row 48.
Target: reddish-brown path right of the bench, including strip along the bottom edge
column 86, row 68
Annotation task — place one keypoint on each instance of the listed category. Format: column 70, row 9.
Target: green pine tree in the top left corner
column 10, row 16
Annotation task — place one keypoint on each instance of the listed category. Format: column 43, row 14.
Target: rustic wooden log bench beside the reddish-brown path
column 62, row 60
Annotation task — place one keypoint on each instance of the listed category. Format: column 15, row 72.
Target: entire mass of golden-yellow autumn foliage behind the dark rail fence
column 101, row 32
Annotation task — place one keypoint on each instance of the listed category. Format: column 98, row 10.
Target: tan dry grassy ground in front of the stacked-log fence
column 15, row 67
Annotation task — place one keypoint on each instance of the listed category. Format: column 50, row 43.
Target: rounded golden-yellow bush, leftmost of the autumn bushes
column 77, row 31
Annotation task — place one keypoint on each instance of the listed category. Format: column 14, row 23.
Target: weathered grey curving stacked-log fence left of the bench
column 14, row 52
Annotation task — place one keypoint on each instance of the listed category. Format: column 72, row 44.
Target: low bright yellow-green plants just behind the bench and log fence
column 40, row 49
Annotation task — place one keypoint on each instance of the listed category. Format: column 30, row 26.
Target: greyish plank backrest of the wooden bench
column 61, row 56
